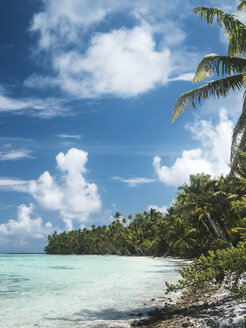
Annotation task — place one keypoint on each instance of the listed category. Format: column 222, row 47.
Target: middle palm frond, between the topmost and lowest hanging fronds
column 214, row 63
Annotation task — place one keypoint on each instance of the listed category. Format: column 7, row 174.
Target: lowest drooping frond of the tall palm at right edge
column 216, row 88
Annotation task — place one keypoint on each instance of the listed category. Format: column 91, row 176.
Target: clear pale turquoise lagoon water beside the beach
column 79, row 291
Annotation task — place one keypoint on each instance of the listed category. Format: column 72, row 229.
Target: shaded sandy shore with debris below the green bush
column 215, row 307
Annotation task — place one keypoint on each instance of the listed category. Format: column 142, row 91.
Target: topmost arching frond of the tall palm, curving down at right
column 234, row 29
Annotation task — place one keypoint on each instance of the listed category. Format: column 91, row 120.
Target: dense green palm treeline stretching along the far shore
column 208, row 214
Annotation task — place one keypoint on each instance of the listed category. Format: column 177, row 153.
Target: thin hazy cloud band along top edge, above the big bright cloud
column 64, row 22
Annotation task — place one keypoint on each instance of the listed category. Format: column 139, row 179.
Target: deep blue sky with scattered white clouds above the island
column 87, row 90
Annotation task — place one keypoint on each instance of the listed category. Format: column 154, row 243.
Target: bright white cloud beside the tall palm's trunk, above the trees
column 212, row 157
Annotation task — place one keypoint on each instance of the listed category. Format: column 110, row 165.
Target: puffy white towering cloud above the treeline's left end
column 74, row 197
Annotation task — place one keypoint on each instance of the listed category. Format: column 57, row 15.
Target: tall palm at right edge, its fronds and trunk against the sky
column 232, row 67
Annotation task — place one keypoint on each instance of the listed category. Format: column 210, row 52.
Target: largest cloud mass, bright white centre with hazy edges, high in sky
column 123, row 62
